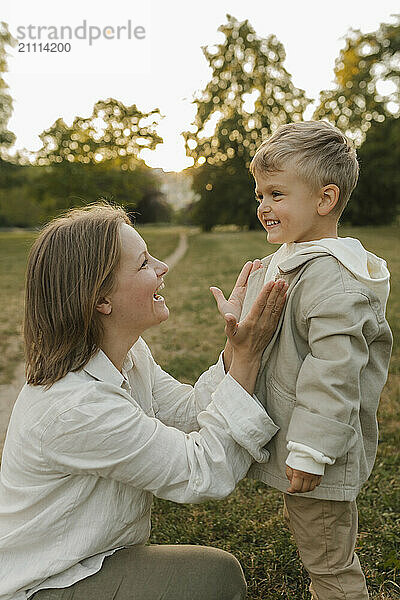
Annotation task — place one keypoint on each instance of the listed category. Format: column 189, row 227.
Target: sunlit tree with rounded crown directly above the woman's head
column 98, row 156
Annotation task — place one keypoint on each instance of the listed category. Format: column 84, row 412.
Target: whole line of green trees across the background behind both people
column 249, row 95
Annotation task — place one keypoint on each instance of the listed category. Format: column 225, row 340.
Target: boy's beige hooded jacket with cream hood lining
column 323, row 371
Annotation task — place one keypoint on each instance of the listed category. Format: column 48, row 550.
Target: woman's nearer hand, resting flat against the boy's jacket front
column 248, row 338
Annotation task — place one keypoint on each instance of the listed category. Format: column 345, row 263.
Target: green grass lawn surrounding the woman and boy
column 249, row 522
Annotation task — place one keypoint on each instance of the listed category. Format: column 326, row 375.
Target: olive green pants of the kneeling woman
column 159, row 572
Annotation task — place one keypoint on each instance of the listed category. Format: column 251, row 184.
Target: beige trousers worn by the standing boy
column 325, row 532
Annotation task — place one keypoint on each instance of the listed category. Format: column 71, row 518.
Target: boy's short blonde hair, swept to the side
column 319, row 152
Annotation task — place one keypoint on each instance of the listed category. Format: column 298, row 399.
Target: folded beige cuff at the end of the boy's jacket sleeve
column 306, row 427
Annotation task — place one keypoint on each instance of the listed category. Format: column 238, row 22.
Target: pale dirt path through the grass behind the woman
column 9, row 392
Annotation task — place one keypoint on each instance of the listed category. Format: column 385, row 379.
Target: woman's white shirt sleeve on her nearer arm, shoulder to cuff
column 108, row 435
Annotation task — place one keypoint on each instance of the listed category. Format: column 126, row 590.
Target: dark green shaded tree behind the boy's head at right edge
column 376, row 199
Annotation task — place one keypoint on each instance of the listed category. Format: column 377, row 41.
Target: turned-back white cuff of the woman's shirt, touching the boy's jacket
column 247, row 421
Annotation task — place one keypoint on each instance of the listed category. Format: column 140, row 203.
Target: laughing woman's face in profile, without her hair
column 136, row 304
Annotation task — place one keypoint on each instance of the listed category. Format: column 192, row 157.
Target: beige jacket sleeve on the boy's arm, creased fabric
column 328, row 386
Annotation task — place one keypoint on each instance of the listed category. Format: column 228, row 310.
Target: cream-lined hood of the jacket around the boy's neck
column 365, row 266
